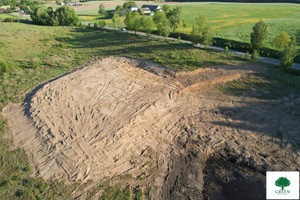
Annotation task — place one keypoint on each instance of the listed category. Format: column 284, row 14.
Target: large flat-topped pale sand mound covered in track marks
column 90, row 123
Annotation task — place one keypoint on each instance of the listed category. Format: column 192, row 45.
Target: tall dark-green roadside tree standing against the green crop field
column 258, row 35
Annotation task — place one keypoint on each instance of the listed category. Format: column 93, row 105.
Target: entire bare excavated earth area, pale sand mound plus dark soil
column 171, row 131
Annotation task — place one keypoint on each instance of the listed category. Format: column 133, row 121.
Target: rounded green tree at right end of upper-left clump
column 66, row 16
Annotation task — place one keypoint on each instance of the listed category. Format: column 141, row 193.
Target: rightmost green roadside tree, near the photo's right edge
column 289, row 53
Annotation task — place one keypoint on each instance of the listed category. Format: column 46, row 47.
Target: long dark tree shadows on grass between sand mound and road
column 114, row 43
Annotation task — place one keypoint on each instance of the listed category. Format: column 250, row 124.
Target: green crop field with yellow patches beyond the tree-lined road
column 235, row 20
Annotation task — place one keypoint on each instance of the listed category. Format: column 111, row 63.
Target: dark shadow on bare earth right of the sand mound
column 262, row 119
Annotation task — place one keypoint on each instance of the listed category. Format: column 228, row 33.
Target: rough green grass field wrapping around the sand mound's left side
column 39, row 53
